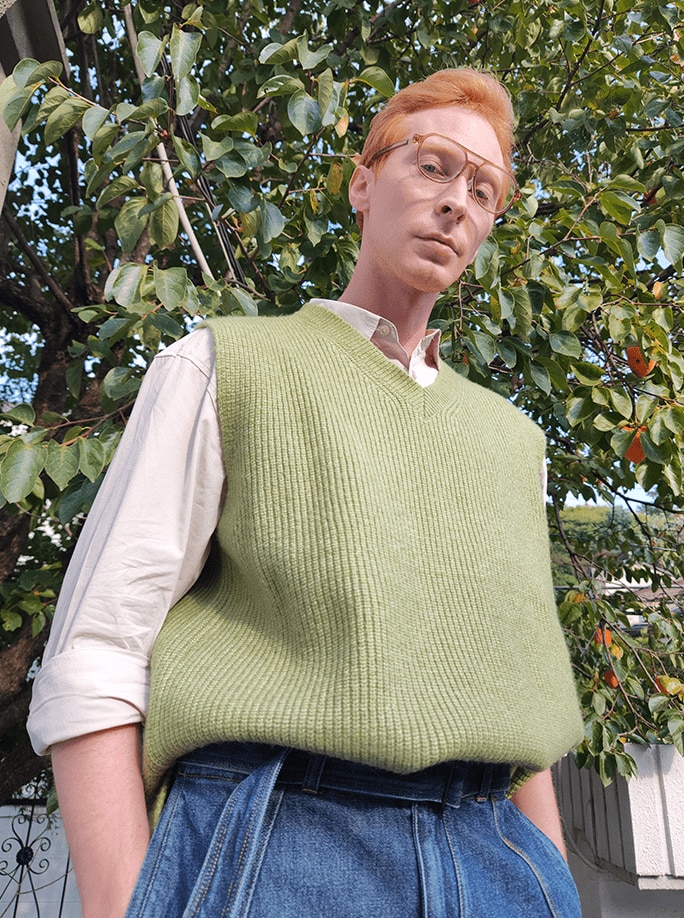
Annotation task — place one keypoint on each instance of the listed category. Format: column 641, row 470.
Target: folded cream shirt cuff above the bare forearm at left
column 84, row 690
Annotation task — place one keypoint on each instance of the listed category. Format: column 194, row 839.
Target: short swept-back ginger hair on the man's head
column 472, row 89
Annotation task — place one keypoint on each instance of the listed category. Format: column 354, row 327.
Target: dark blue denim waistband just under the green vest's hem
column 446, row 784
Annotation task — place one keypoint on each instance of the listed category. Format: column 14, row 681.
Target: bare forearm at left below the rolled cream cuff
column 102, row 803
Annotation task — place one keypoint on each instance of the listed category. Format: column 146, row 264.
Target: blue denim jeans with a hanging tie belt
column 252, row 830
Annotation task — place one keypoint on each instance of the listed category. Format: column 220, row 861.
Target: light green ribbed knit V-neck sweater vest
column 380, row 588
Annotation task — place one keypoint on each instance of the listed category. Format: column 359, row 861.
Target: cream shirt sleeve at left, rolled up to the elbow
column 142, row 547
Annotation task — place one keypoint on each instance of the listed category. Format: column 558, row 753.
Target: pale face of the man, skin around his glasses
column 419, row 233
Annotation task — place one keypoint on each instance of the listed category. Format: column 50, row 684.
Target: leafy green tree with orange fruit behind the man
column 196, row 162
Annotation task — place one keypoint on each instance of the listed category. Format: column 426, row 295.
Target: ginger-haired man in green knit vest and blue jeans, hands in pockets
column 333, row 550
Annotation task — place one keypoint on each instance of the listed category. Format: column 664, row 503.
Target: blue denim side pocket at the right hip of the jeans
column 524, row 839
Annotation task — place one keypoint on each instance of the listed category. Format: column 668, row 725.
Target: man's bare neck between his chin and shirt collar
column 408, row 309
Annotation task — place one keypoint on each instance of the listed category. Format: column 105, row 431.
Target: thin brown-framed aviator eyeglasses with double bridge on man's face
column 442, row 160
